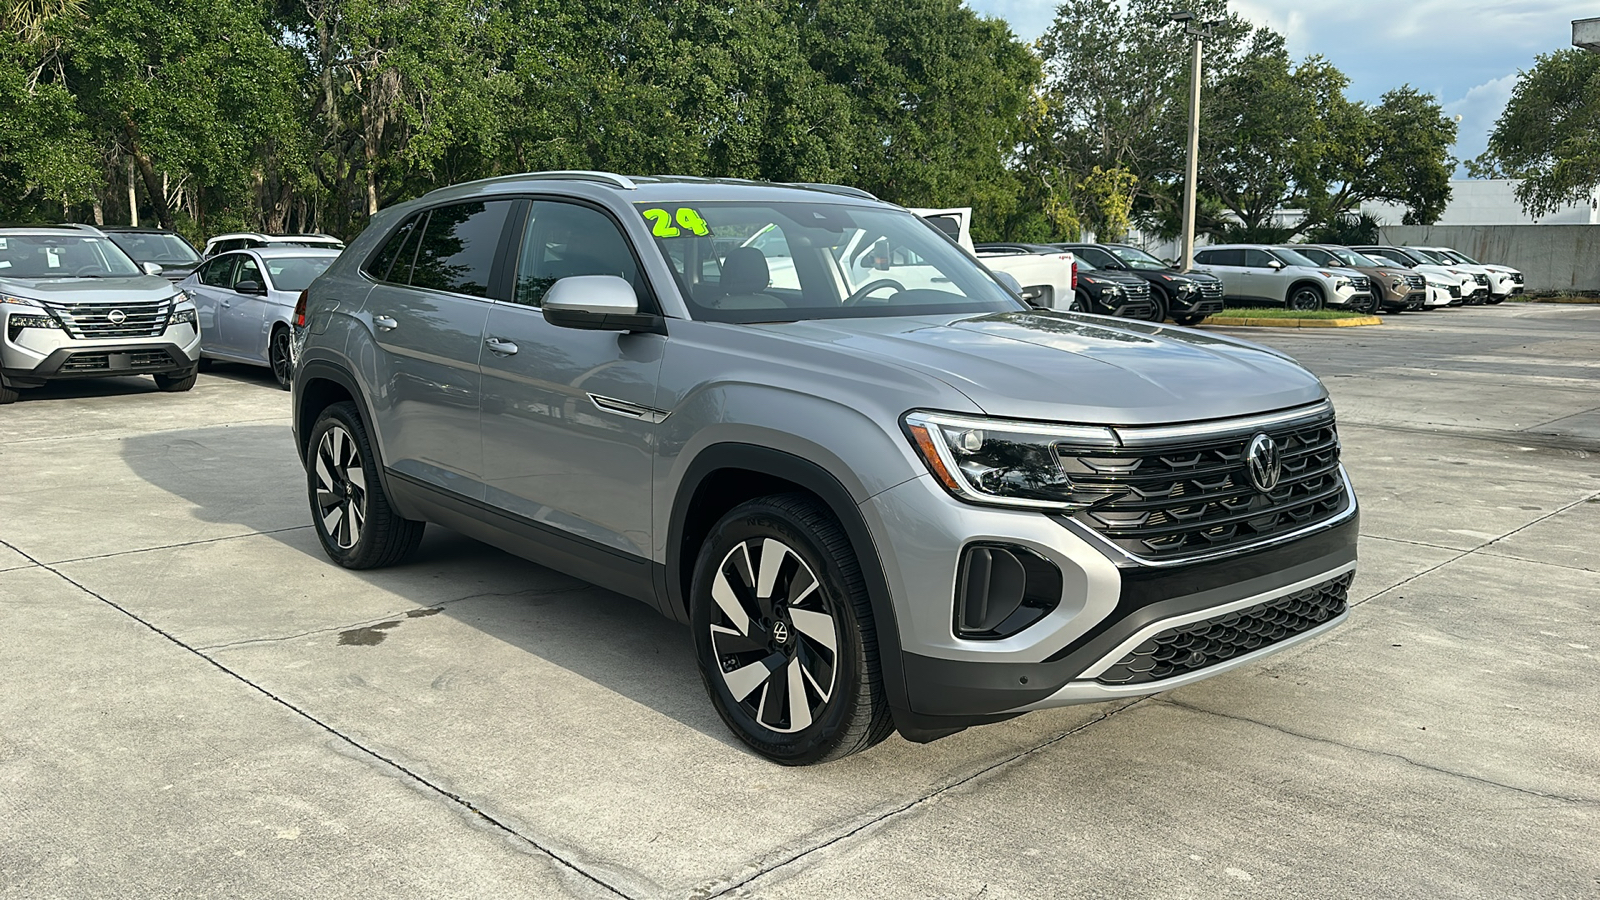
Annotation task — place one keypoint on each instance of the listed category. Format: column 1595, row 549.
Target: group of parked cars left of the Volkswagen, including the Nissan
column 148, row 303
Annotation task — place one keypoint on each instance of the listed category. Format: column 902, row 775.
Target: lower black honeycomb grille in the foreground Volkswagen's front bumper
column 1193, row 648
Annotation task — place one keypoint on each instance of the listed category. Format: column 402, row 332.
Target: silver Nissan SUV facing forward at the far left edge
column 73, row 305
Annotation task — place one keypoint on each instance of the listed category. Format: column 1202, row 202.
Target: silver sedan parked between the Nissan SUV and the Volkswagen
column 247, row 303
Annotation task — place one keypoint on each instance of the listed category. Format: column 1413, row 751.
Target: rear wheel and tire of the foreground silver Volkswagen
column 342, row 475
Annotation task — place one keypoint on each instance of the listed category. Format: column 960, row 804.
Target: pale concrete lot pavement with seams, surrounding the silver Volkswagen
column 199, row 705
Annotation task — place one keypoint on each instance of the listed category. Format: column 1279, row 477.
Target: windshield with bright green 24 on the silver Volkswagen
column 751, row 262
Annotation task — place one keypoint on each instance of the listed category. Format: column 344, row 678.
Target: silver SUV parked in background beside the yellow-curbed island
column 1279, row 275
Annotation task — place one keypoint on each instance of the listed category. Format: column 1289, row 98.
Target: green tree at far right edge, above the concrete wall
column 1550, row 135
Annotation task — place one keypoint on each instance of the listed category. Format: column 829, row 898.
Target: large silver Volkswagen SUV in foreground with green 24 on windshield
column 884, row 496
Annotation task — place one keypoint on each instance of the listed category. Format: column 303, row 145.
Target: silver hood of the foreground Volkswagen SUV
column 1078, row 369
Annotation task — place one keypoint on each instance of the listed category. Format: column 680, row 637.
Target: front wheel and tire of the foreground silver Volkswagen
column 822, row 582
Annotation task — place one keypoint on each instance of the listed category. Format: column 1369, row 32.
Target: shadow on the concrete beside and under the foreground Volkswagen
column 250, row 476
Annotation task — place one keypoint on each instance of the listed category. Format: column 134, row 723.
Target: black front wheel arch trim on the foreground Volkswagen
column 726, row 475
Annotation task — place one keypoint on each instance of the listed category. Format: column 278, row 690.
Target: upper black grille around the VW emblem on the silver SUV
column 1191, row 499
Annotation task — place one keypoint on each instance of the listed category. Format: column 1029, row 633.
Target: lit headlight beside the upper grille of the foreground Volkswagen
column 1010, row 464
